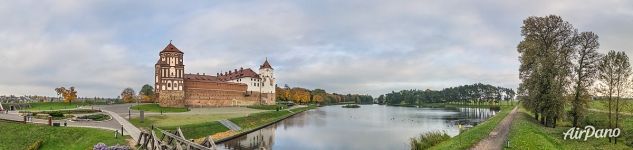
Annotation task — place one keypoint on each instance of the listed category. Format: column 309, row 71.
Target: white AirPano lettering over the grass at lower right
column 590, row 131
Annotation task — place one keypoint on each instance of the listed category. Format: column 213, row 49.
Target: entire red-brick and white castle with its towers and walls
column 238, row 87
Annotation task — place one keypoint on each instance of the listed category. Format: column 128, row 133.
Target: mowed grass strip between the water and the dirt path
column 472, row 136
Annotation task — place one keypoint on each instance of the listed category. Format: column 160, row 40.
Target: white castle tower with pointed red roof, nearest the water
column 268, row 82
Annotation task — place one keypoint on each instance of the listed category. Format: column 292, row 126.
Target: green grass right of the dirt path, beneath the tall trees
column 527, row 133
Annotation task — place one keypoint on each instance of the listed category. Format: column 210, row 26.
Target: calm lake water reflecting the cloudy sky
column 368, row 127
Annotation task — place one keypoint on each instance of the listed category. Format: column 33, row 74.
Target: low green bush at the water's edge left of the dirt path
column 428, row 140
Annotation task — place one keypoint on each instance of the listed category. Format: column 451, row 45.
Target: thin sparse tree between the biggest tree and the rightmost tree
column 585, row 69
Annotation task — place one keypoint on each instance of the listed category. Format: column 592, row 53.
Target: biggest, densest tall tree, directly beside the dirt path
column 545, row 54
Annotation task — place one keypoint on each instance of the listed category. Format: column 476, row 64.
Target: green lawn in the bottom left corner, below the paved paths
column 19, row 136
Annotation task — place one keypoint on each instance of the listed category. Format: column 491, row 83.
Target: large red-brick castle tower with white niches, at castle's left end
column 169, row 77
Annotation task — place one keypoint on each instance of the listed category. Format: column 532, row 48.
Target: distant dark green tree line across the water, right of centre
column 466, row 94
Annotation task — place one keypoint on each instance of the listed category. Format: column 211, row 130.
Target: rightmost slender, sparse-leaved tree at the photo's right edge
column 614, row 72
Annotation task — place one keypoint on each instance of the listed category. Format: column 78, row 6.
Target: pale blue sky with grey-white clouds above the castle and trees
column 356, row 46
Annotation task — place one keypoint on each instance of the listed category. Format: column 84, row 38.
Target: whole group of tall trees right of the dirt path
column 560, row 66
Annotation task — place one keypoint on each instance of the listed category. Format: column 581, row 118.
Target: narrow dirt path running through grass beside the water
column 497, row 136
